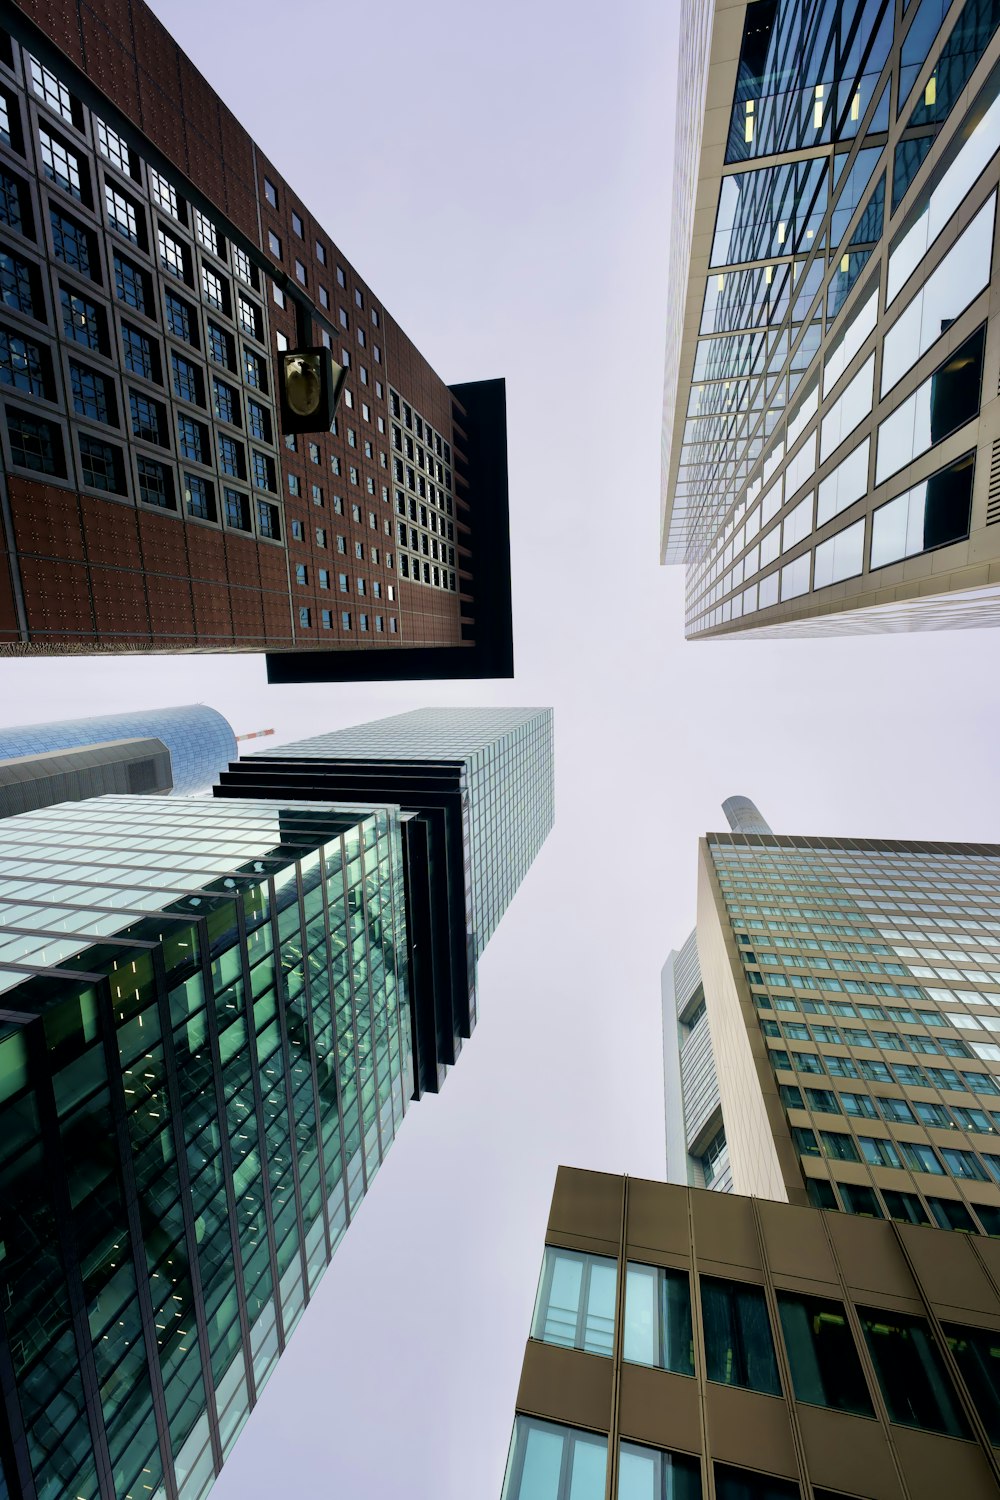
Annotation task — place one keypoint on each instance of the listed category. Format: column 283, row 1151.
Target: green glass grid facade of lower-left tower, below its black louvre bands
column 242, row 1021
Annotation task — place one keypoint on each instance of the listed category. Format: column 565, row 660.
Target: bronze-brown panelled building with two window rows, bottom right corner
column 699, row 1346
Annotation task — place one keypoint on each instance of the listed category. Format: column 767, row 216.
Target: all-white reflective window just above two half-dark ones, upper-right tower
column 945, row 295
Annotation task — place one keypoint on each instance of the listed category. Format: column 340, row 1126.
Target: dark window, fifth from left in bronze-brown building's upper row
column 911, row 1373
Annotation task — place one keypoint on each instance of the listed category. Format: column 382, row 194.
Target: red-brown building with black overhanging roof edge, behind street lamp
column 155, row 268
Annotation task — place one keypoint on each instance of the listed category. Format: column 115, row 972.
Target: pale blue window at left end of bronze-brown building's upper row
column 576, row 1301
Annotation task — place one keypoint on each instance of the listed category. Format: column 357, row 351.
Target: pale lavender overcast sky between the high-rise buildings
column 501, row 178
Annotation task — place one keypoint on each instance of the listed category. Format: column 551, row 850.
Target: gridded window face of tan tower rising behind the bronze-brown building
column 875, row 971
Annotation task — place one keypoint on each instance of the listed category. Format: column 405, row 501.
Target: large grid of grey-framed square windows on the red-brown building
column 169, row 392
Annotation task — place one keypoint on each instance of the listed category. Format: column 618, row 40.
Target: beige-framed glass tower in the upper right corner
column 831, row 413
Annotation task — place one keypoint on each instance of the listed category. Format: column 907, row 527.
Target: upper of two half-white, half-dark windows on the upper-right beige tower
column 947, row 401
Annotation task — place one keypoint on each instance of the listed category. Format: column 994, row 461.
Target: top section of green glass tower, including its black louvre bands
column 476, row 791
